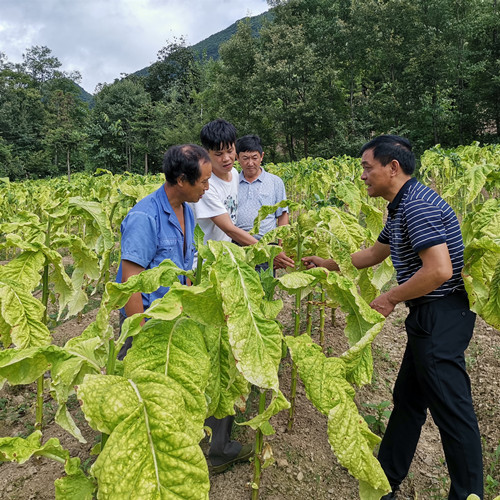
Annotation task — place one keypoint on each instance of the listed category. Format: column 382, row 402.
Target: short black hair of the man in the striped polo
column 392, row 147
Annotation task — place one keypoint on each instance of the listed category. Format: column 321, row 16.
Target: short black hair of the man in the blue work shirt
column 184, row 161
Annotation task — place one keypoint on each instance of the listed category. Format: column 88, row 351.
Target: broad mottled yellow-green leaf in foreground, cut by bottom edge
column 151, row 452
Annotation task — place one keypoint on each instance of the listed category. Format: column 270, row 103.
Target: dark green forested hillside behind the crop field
column 321, row 78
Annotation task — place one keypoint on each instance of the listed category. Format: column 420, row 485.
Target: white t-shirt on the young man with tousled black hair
column 221, row 197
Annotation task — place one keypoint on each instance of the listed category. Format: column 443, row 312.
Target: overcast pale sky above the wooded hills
column 104, row 38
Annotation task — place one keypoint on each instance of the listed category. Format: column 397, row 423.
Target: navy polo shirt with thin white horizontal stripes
column 418, row 219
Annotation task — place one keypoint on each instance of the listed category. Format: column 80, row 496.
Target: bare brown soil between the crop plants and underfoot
column 305, row 467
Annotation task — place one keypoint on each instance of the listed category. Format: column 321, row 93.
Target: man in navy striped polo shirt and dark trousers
column 423, row 238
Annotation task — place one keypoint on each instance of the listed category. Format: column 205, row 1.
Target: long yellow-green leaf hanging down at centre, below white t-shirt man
column 255, row 340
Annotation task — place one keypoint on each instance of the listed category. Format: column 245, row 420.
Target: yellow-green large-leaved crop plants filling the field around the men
column 203, row 346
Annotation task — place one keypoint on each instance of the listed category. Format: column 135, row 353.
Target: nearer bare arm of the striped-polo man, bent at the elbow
column 436, row 269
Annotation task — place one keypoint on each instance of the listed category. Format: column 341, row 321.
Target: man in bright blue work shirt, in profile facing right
column 161, row 225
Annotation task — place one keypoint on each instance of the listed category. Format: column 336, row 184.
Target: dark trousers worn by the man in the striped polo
column 432, row 375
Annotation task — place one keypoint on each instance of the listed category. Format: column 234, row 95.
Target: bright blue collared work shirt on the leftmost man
column 151, row 233
